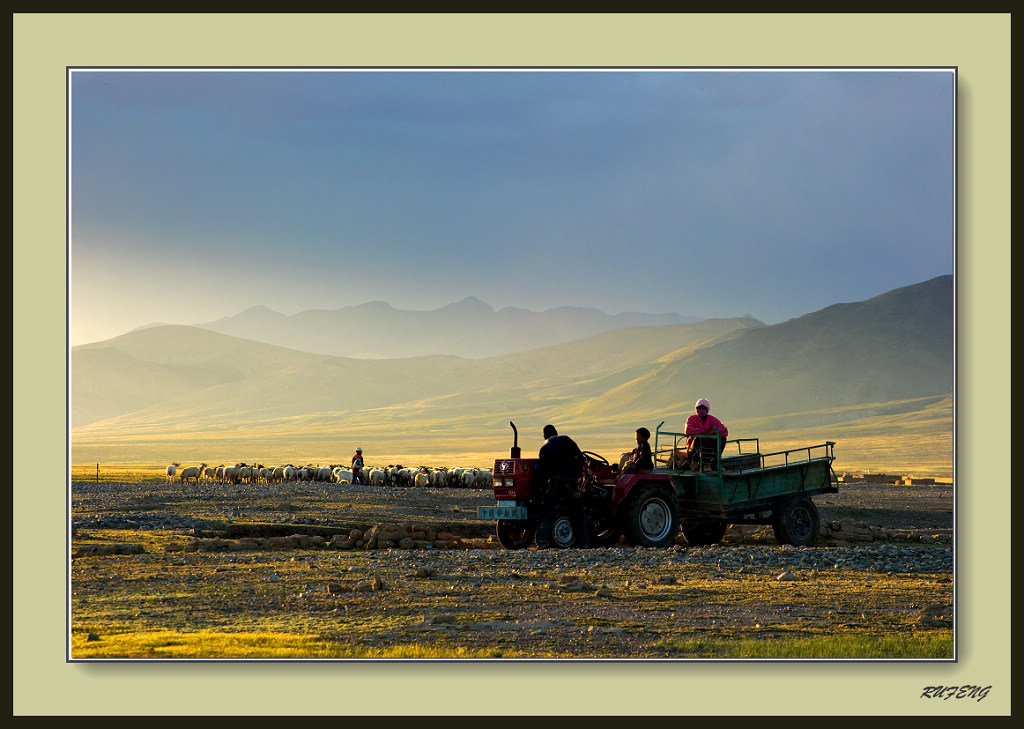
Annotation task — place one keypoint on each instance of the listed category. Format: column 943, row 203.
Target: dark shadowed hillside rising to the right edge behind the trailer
column 895, row 347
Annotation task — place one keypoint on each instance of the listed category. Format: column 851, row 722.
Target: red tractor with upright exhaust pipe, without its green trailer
column 641, row 507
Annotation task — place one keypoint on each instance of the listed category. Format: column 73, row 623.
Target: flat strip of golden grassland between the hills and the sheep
column 921, row 446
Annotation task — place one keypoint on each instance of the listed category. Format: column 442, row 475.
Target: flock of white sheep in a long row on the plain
column 387, row 477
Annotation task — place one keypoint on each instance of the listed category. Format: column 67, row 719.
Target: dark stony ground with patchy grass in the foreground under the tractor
column 884, row 565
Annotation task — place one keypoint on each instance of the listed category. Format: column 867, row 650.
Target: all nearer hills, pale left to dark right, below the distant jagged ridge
column 897, row 348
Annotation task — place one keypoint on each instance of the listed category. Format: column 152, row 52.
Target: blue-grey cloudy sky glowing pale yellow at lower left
column 197, row 194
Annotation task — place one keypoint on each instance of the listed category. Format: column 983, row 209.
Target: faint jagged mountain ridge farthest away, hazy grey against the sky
column 470, row 328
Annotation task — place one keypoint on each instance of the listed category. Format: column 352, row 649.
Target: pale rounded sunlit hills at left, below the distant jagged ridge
column 235, row 377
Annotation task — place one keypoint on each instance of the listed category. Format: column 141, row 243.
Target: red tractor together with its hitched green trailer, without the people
column 649, row 509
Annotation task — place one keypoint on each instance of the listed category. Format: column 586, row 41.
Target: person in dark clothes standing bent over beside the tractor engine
column 558, row 476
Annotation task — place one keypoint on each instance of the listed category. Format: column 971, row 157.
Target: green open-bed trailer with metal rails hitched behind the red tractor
column 739, row 485
